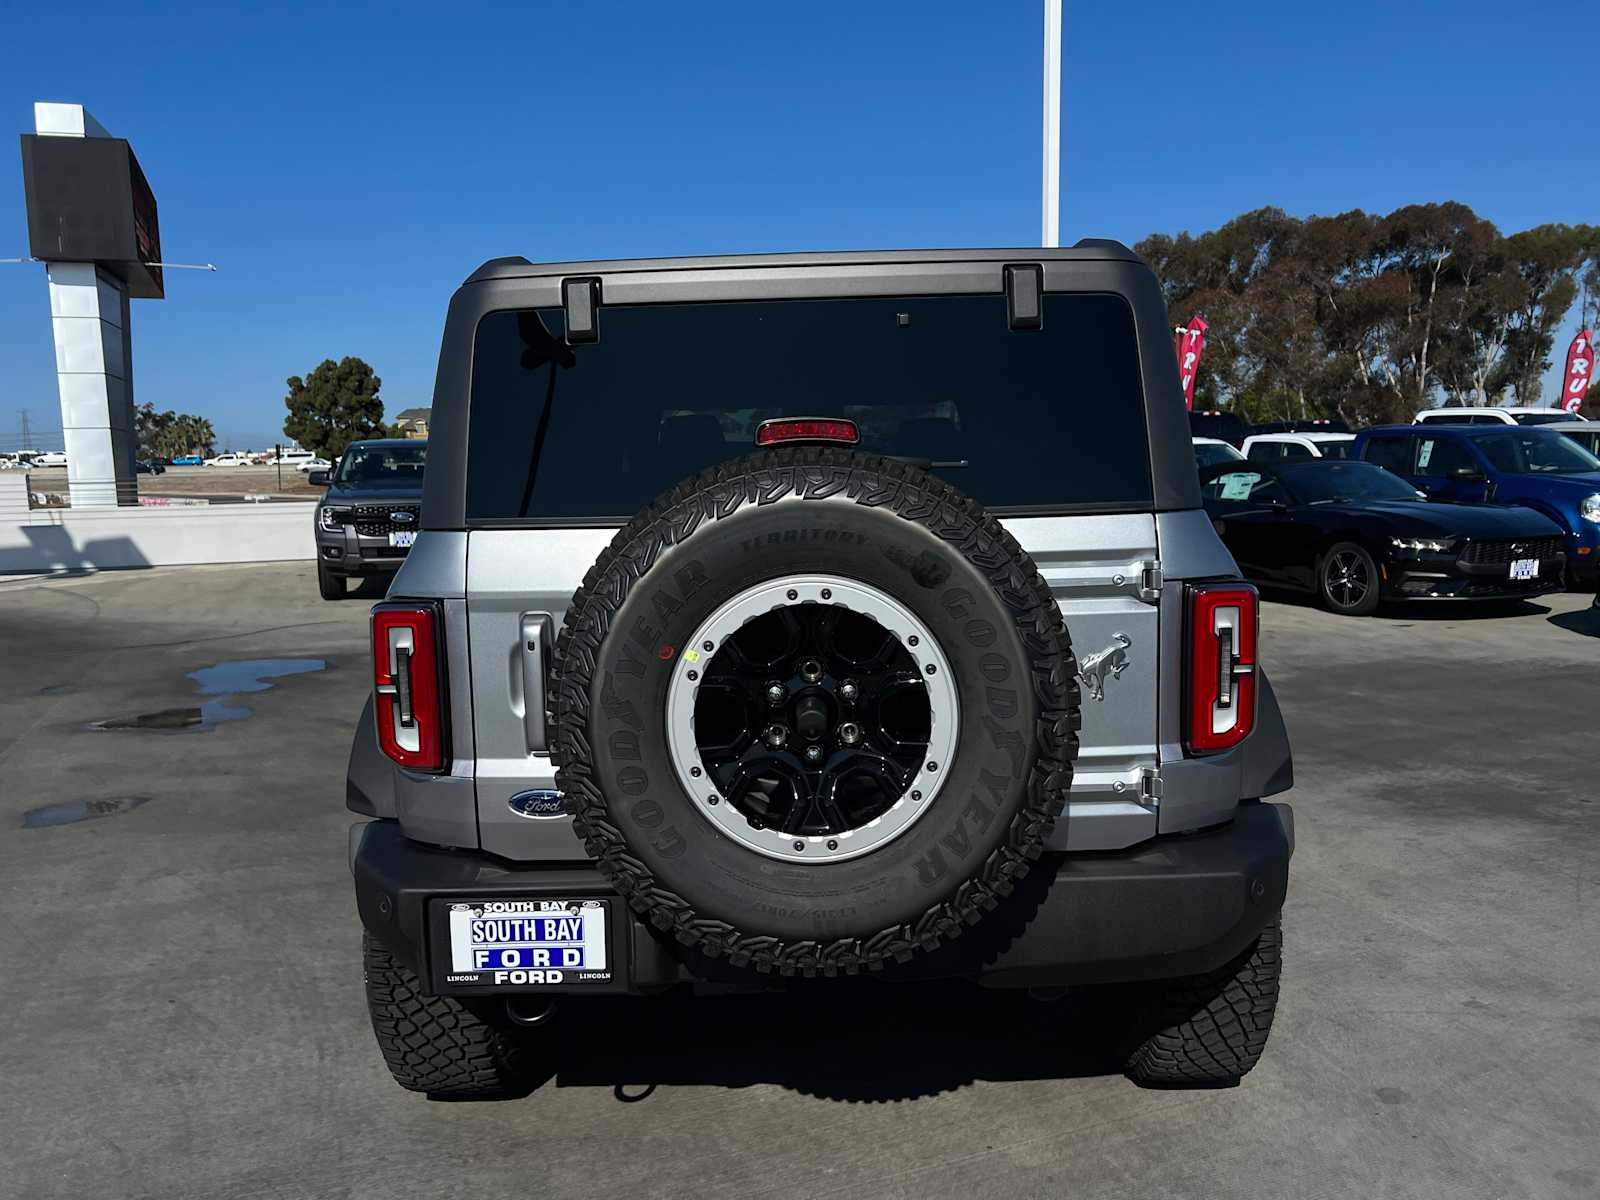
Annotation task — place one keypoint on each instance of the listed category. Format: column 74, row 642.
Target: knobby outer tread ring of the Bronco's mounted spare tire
column 873, row 482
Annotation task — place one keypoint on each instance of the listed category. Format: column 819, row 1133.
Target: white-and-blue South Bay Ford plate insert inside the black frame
column 529, row 943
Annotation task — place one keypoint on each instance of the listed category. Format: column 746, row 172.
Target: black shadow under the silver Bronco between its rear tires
column 855, row 1042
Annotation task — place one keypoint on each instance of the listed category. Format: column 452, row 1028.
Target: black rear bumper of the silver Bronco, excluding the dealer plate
column 1169, row 908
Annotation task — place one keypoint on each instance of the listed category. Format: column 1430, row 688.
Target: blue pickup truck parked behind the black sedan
column 1502, row 465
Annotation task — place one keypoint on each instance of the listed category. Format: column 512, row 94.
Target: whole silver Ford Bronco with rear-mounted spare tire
column 844, row 615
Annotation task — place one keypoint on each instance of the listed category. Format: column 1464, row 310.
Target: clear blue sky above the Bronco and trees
column 348, row 166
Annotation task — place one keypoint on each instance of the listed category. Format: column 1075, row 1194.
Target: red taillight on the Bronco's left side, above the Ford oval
column 409, row 684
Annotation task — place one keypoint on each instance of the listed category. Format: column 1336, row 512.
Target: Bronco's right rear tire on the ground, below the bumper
column 1209, row 1031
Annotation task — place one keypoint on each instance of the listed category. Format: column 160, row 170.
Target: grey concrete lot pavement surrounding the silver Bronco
column 185, row 1018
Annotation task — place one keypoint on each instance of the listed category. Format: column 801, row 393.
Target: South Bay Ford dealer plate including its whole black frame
column 526, row 943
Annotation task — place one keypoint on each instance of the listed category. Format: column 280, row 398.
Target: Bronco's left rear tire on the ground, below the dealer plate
column 442, row 1046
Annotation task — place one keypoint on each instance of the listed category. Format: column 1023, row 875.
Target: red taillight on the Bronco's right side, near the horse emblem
column 1223, row 625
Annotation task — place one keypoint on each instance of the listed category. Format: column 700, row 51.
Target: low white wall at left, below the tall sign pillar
column 106, row 540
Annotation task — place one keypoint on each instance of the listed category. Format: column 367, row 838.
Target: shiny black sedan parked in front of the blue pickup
column 1354, row 535
